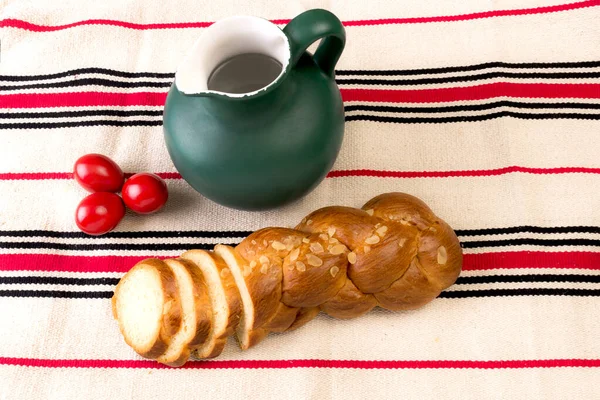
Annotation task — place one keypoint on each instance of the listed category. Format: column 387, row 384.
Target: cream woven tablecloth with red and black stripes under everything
column 488, row 111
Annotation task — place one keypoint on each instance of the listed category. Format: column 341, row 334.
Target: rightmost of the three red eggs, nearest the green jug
column 145, row 193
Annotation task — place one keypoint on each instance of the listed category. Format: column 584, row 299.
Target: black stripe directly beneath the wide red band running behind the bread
column 462, row 280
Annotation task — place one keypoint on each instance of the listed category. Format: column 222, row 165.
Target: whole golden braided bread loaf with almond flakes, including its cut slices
column 393, row 253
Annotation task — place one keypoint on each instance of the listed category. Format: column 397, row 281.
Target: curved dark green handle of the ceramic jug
column 311, row 26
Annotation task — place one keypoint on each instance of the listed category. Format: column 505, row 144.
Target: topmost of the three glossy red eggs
column 98, row 173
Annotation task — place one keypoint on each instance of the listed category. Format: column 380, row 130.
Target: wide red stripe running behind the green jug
column 439, row 95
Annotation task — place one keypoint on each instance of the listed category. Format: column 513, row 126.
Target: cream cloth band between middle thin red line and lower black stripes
column 465, row 203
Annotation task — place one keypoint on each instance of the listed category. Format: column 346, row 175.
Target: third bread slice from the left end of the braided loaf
column 224, row 298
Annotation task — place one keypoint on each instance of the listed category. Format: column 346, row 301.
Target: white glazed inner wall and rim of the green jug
column 225, row 39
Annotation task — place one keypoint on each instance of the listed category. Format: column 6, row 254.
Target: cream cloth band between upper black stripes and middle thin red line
column 414, row 147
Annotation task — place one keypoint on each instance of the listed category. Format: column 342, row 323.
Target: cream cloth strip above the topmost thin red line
column 69, row 11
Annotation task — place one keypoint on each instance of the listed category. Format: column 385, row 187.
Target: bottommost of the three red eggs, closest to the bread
column 99, row 213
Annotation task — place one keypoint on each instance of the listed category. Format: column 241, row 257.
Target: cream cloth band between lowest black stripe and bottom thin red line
column 500, row 326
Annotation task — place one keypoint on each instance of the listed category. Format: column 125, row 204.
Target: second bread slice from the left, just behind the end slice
column 196, row 313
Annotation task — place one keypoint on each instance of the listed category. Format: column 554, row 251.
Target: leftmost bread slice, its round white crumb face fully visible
column 147, row 307
